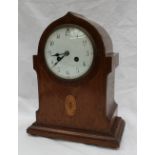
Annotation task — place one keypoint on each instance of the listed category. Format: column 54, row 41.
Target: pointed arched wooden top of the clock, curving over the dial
column 100, row 36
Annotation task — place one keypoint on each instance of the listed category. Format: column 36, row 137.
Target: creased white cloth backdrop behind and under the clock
column 118, row 17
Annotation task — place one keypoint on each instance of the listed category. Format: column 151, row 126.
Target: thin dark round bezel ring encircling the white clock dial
column 92, row 43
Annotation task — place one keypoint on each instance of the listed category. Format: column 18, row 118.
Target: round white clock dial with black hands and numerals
column 69, row 52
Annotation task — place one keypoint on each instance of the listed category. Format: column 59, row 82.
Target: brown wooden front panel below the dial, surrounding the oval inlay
column 89, row 111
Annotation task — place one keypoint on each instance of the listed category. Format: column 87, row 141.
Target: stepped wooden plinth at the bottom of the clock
column 111, row 140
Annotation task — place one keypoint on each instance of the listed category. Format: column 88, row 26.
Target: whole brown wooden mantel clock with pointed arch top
column 75, row 68
